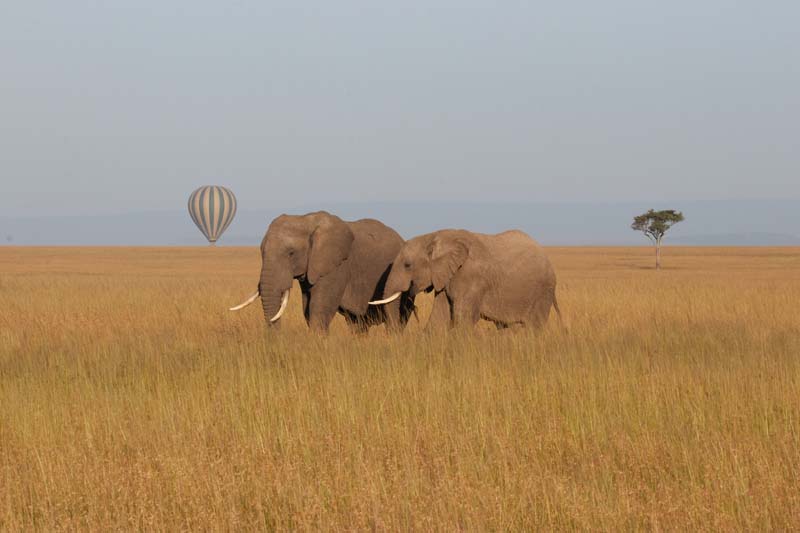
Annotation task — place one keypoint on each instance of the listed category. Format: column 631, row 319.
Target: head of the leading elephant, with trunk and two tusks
column 304, row 247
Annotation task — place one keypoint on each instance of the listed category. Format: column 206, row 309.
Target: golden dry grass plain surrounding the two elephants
column 130, row 398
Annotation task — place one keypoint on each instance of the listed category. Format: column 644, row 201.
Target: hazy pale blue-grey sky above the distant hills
column 110, row 107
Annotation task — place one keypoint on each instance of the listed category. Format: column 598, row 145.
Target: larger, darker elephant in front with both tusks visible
column 340, row 267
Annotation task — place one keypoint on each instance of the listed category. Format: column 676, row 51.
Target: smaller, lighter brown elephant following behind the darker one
column 505, row 278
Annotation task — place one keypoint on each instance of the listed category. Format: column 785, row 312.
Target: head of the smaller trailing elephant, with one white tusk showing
column 426, row 263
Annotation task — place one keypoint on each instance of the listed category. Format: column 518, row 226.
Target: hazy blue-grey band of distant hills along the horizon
column 723, row 223
